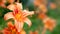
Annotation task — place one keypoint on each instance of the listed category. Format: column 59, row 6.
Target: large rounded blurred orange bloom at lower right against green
column 49, row 23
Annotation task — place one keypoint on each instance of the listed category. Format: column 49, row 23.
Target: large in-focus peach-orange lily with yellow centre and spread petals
column 19, row 15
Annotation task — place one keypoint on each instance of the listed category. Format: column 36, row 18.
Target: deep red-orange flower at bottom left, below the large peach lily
column 12, row 30
